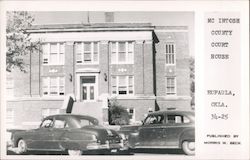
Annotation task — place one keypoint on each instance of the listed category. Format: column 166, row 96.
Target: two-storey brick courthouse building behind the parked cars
column 144, row 67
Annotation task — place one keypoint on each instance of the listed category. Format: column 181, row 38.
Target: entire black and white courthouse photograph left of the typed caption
column 100, row 83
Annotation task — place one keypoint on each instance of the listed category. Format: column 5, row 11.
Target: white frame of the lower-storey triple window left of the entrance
column 57, row 85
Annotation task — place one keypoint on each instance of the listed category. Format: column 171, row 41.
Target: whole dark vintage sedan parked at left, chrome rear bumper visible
column 69, row 133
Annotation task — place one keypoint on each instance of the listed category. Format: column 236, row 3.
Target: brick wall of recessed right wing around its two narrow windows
column 180, row 70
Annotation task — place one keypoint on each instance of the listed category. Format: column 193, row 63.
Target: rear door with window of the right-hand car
column 175, row 125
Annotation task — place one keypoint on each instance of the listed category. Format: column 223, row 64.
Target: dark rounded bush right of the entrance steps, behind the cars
column 118, row 115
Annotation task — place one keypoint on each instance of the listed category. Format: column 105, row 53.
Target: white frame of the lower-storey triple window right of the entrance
column 127, row 85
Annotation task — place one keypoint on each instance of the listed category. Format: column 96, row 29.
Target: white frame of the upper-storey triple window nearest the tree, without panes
column 47, row 54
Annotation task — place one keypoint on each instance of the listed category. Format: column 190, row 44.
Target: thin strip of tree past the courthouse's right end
column 192, row 80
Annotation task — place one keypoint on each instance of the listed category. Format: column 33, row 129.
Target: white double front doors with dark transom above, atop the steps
column 88, row 88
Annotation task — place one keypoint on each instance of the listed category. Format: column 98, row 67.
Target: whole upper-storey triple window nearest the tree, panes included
column 53, row 53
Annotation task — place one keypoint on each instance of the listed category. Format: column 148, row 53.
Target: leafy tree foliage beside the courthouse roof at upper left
column 18, row 40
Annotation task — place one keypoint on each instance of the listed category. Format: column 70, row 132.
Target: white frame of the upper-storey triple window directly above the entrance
column 92, row 53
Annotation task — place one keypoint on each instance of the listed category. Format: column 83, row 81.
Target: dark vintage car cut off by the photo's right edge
column 163, row 129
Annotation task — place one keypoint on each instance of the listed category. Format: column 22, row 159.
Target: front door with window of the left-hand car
column 42, row 138
